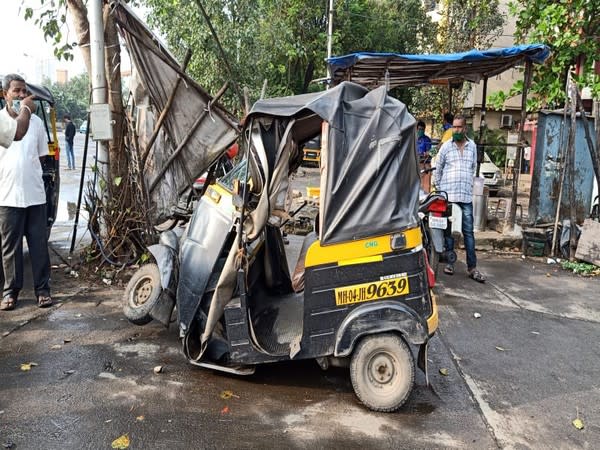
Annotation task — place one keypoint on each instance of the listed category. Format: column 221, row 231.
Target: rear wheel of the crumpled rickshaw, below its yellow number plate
column 382, row 371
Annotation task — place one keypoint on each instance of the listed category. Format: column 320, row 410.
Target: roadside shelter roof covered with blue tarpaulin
column 374, row 69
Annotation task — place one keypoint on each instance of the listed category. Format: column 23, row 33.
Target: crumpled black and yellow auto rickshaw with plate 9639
column 366, row 295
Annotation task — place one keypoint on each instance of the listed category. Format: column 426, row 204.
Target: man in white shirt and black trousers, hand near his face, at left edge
column 23, row 201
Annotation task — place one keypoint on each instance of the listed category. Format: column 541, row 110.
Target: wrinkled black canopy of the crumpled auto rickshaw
column 369, row 175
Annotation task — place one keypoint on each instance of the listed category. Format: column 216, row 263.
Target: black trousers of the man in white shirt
column 31, row 223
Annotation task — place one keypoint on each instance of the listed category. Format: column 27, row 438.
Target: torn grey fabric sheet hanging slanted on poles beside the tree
column 197, row 133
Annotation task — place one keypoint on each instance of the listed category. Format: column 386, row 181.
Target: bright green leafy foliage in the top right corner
column 570, row 29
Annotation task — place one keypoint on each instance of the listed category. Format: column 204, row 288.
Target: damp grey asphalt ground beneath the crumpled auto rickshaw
column 517, row 376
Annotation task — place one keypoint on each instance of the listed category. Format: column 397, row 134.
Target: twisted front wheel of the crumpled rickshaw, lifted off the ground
column 141, row 294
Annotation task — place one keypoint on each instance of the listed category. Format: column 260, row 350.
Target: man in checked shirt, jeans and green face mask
column 455, row 168
